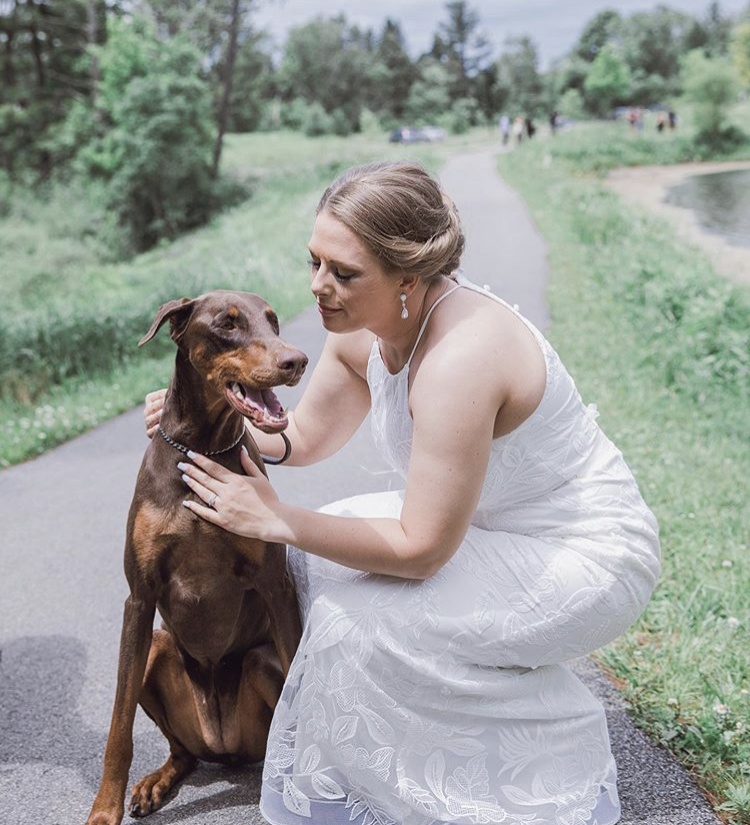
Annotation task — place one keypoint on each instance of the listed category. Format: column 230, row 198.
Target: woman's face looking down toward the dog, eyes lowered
column 352, row 288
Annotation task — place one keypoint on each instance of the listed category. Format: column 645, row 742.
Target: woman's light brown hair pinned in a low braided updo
column 401, row 215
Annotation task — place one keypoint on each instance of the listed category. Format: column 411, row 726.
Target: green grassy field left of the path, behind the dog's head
column 71, row 316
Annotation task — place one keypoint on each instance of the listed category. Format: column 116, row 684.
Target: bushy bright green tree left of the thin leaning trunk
column 153, row 137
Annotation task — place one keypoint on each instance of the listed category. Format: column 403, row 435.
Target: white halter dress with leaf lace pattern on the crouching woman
column 447, row 700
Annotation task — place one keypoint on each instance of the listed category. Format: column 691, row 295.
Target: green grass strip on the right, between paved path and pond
column 662, row 345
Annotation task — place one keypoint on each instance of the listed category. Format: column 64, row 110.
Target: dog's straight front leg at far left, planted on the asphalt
column 135, row 642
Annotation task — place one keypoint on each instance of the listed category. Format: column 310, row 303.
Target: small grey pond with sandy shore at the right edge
column 720, row 201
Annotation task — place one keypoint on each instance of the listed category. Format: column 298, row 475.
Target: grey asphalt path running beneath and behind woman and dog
column 62, row 588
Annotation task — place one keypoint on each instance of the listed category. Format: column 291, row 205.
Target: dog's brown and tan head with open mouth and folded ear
column 232, row 340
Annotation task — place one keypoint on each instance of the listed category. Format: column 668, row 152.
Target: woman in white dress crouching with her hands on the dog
column 428, row 686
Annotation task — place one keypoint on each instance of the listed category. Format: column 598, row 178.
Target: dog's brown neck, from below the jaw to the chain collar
column 195, row 415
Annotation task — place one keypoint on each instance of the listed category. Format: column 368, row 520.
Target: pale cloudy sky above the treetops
column 553, row 25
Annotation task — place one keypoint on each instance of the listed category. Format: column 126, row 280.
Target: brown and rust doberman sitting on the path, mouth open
column 211, row 676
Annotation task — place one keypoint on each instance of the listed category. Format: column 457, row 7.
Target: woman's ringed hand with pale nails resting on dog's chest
column 241, row 504
